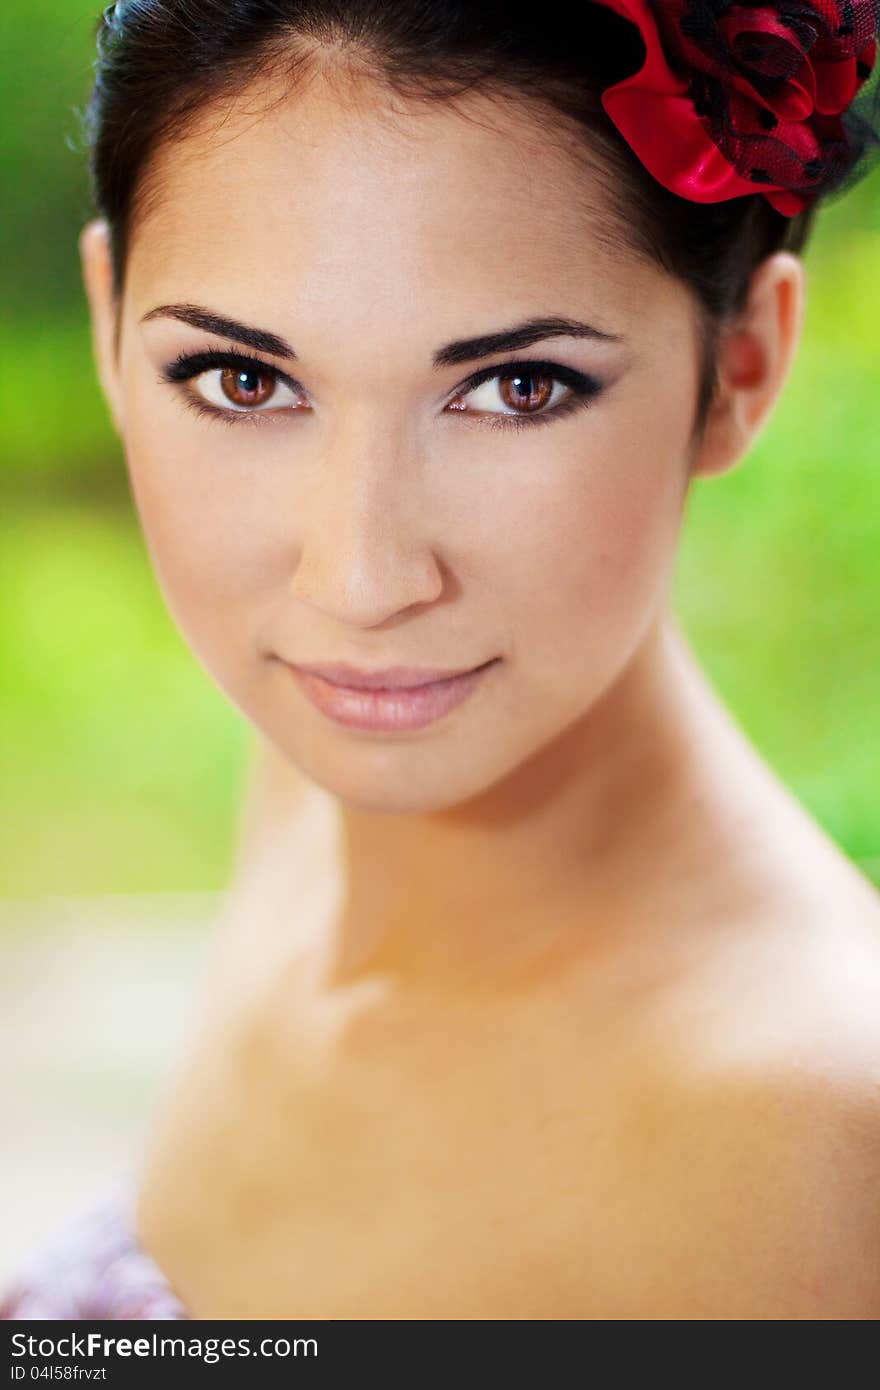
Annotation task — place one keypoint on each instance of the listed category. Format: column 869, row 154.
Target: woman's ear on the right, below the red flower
column 756, row 357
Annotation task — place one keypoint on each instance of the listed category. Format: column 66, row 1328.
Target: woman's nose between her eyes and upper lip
column 365, row 548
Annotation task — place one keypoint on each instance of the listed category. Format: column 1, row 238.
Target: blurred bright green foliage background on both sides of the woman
column 123, row 765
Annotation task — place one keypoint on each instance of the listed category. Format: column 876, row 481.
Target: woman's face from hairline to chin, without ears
column 362, row 500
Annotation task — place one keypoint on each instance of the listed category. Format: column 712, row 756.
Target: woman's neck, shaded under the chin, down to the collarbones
column 564, row 851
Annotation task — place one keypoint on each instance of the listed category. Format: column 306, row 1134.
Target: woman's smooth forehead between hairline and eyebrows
column 359, row 205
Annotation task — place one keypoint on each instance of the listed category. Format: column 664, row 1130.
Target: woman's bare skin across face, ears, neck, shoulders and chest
column 561, row 1007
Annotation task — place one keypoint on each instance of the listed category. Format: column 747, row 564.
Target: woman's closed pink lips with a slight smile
column 387, row 707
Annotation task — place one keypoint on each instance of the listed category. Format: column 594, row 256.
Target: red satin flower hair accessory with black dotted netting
column 732, row 95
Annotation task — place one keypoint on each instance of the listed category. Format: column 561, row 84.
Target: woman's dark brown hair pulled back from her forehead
column 163, row 62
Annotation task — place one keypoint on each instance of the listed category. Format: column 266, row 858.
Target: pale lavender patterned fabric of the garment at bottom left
column 94, row 1268
